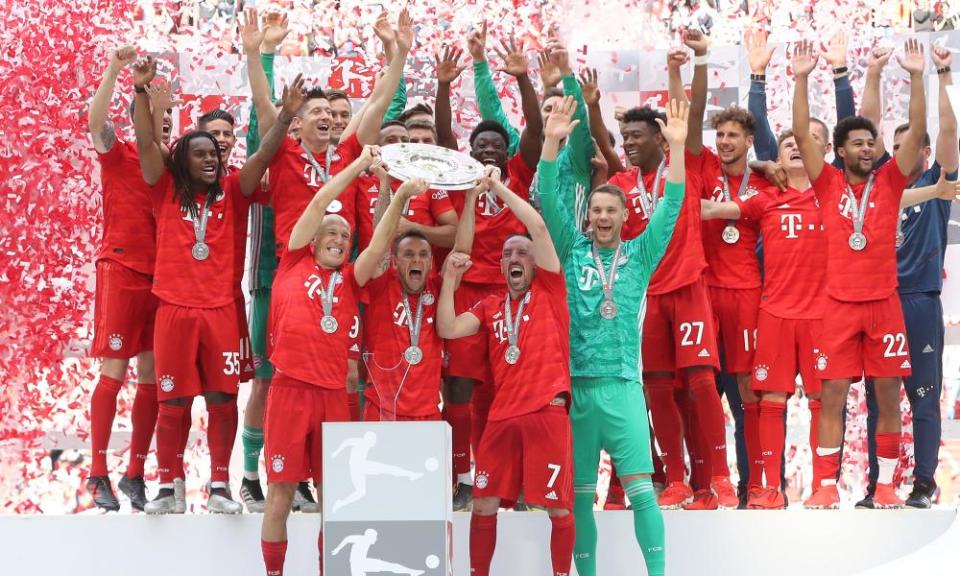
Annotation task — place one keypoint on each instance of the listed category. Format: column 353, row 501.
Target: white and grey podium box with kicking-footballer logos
column 387, row 498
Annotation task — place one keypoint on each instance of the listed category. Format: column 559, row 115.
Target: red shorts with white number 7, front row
column 533, row 451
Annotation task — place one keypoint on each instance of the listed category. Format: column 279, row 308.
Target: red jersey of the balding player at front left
column 301, row 349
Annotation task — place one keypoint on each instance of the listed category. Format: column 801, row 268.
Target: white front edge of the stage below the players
column 791, row 542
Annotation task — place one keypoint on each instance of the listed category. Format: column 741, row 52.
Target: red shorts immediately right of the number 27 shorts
column 735, row 312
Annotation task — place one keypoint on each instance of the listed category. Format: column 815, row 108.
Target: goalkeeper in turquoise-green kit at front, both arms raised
column 606, row 292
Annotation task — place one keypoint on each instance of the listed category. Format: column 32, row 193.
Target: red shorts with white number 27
column 678, row 330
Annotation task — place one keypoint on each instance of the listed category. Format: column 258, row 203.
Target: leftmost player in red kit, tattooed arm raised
column 125, row 307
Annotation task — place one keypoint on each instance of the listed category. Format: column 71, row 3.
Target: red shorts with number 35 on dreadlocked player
column 197, row 350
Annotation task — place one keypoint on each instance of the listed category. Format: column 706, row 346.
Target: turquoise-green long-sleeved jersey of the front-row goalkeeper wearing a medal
column 602, row 348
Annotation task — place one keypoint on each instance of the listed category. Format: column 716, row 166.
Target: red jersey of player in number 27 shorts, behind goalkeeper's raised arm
column 683, row 263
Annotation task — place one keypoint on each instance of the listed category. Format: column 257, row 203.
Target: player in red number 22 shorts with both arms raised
column 863, row 328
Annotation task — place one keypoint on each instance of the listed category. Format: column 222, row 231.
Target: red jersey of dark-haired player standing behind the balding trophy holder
column 294, row 181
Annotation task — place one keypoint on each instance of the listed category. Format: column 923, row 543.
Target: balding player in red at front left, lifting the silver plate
column 315, row 302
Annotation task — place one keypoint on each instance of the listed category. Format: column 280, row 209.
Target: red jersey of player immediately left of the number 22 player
column 794, row 251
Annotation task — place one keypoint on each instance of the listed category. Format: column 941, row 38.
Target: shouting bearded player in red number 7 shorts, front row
column 526, row 444
